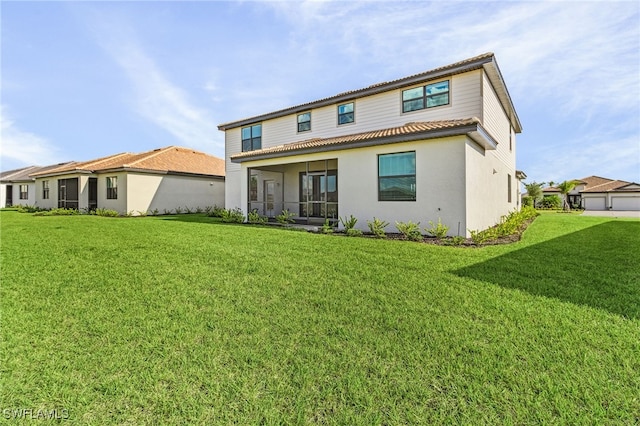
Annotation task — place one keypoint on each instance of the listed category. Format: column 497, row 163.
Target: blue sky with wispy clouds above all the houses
column 82, row 80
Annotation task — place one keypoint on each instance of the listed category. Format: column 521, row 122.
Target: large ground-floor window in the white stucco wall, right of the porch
column 397, row 177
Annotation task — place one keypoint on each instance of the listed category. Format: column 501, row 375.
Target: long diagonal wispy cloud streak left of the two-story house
column 156, row 97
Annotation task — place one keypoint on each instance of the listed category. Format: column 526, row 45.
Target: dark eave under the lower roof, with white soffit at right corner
column 474, row 131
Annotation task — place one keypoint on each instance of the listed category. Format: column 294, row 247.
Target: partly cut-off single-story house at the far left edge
column 18, row 187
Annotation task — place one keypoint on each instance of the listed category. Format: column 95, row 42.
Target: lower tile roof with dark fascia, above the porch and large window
column 410, row 131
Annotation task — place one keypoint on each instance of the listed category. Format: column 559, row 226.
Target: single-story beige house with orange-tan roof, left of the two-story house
column 163, row 180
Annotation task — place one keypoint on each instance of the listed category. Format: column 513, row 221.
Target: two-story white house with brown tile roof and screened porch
column 440, row 144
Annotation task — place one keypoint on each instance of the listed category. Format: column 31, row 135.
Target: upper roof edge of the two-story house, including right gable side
column 476, row 62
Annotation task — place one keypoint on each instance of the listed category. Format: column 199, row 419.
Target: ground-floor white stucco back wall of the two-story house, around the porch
column 440, row 183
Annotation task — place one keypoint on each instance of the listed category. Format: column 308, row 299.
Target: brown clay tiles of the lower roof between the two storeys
column 317, row 143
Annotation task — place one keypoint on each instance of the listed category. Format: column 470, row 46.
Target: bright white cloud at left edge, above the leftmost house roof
column 22, row 148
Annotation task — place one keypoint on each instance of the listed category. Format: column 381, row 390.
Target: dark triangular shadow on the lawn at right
column 597, row 266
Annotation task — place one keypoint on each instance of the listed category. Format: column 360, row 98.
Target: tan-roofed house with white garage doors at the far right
column 598, row 193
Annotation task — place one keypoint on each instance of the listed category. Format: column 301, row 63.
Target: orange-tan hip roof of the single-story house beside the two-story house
column 171, row 159
